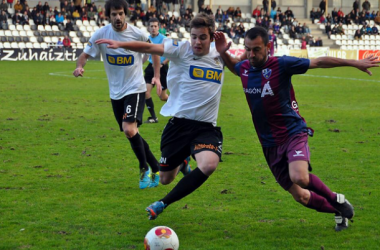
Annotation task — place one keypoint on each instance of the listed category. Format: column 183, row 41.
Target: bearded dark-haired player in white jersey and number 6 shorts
column 126, row 83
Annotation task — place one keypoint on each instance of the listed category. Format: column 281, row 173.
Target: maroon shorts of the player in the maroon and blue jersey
column 278, row 158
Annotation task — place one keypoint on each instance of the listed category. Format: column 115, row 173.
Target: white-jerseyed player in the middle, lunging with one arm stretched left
column 195, row 81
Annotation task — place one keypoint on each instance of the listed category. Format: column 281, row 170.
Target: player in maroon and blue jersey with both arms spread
column 282, row 132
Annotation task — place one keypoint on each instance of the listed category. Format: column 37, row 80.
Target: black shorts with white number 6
column 130, row 108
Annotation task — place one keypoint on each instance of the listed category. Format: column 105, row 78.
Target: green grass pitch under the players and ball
column 69, row 179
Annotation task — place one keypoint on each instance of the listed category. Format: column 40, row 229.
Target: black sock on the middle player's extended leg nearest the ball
column 185, row 186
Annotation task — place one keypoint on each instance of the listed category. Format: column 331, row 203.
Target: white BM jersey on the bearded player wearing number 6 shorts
column 123, row 67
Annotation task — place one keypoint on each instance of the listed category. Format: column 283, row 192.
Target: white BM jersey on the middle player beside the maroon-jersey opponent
column 195, row 83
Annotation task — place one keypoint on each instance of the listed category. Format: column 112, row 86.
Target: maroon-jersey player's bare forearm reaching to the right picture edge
column 332, row 62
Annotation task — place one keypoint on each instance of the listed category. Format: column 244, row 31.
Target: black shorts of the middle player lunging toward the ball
column 184, row 137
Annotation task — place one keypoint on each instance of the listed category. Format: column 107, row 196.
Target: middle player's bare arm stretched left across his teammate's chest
column 142, row 47
